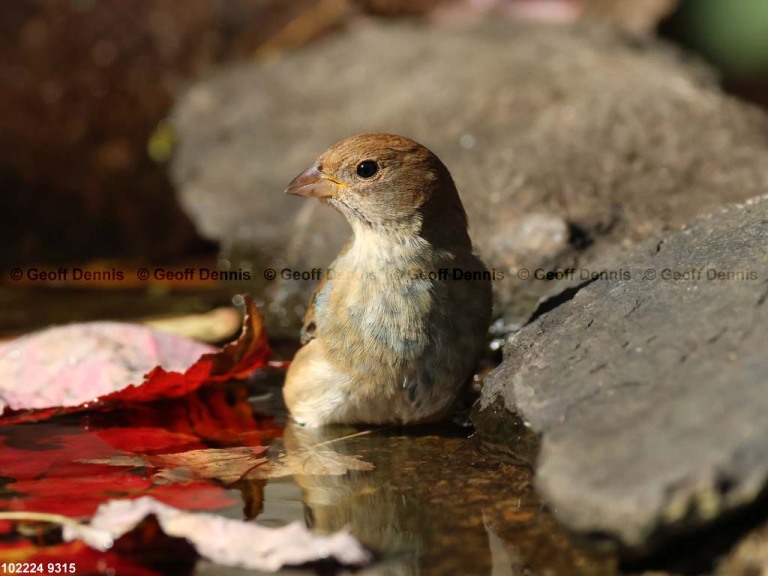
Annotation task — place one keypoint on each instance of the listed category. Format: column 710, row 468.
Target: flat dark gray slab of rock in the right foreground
column 649, row 387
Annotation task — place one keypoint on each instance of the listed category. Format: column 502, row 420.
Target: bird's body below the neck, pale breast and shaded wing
column 388, row 348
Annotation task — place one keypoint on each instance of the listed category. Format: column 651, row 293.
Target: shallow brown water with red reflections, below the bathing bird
column 426, row 500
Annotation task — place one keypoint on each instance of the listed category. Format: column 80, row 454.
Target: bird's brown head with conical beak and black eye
column 385, row 183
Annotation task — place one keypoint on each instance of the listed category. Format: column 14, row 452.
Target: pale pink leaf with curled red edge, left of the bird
column 95, row 366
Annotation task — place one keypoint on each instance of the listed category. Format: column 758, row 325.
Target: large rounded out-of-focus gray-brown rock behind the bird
column 568, row 144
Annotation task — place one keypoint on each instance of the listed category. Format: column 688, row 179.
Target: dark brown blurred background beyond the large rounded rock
column 85, row 86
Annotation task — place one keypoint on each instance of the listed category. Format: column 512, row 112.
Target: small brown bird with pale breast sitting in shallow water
column 398, row 321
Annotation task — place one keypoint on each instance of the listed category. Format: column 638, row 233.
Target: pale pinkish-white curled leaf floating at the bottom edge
column 221, row 540
